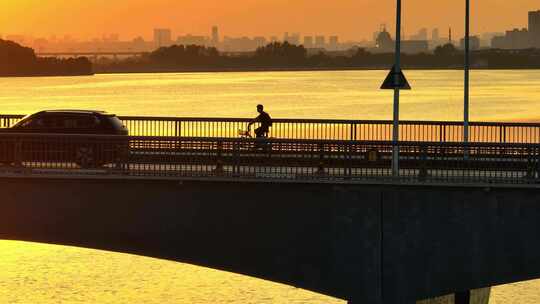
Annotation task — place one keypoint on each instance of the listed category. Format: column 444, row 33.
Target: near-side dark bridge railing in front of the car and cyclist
column 268, row 160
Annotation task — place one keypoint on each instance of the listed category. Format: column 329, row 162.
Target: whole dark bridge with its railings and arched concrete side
column 316, row 205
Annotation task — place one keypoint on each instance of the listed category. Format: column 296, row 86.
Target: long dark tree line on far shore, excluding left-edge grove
column 279, row 55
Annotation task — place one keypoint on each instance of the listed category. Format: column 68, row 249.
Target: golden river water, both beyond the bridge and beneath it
column 39, row 273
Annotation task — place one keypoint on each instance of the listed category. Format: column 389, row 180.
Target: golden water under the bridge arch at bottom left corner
column 40, row 273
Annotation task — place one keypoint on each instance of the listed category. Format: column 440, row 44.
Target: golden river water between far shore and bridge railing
column 436, row 95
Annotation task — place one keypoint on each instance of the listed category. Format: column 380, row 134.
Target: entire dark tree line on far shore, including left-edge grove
column 16, row 60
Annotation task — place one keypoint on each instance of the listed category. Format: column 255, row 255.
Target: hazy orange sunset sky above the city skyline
column 350, row 19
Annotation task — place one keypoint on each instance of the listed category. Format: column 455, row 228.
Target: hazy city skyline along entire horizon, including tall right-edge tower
column 424, row 40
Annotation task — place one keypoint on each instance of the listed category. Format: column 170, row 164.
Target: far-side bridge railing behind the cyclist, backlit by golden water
column 320, row 129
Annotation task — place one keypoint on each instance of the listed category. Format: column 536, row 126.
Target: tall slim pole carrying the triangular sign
column 395, row 154
